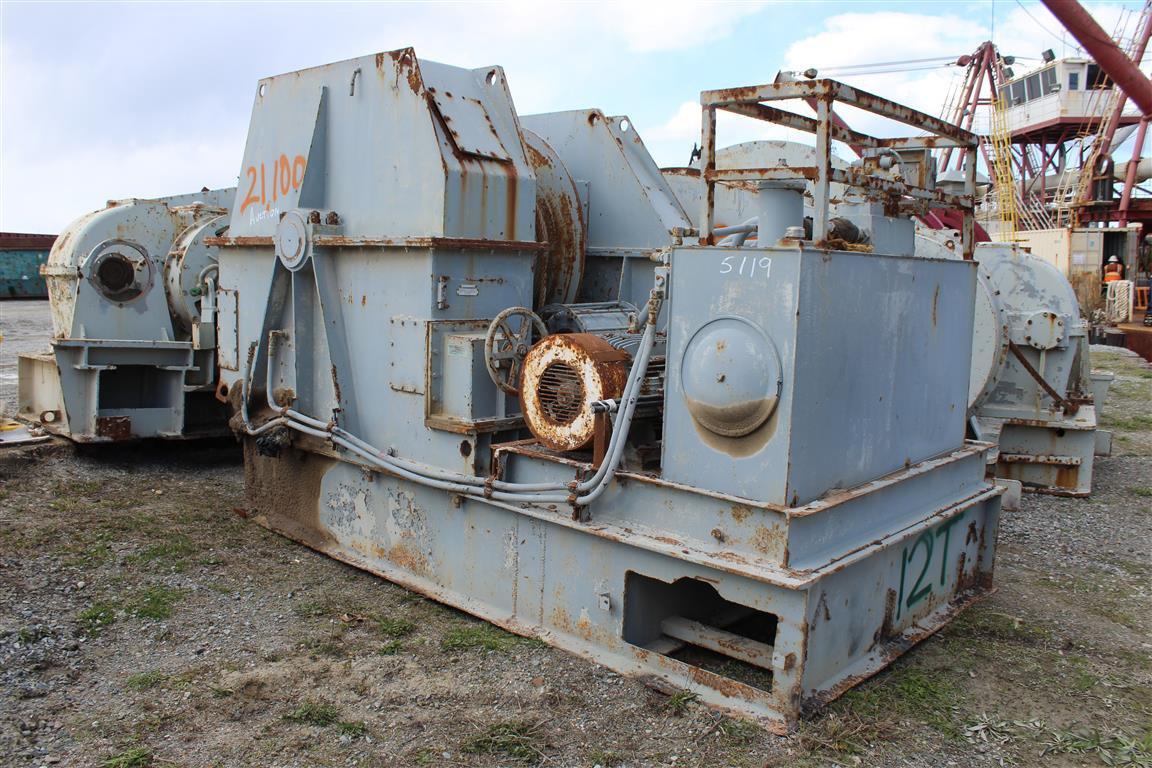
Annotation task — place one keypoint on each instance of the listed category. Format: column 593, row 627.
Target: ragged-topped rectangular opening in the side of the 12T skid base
column 688, row 621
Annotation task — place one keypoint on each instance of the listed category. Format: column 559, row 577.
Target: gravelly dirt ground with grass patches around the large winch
column 146, row 622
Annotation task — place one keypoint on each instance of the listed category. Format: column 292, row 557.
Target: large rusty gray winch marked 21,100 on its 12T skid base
column 490, row 358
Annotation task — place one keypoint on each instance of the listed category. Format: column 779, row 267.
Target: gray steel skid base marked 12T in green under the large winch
column 761, row 611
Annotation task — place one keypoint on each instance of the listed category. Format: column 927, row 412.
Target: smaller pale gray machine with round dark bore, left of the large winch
column 133, row 296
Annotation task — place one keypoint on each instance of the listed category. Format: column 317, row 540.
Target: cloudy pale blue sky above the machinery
column 105, row 101
